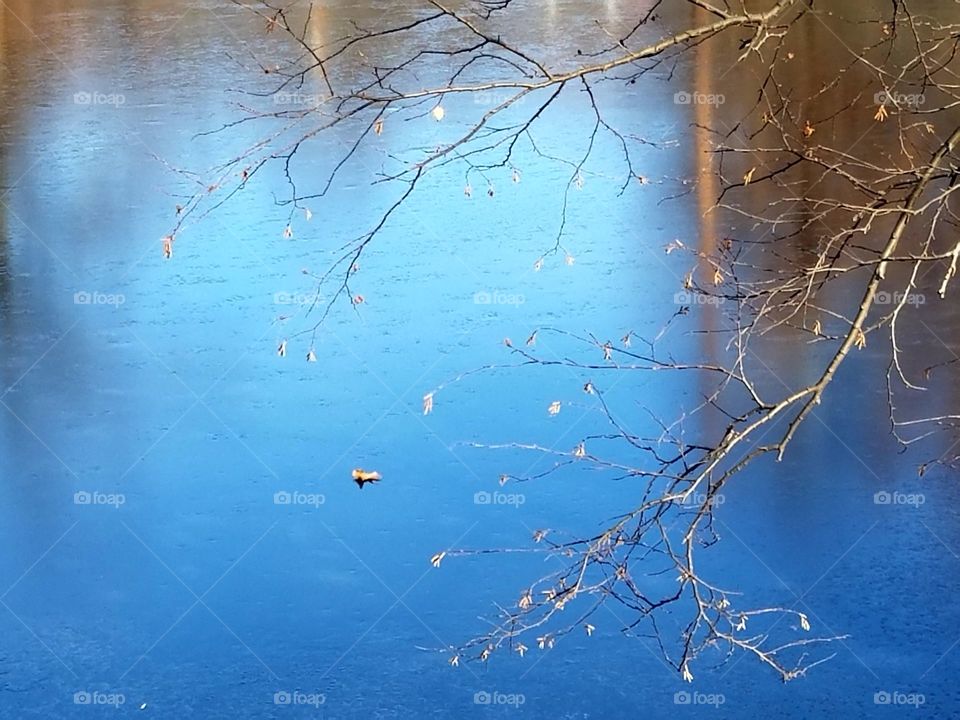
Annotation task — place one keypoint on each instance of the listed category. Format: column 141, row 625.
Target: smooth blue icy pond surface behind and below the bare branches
column 199, row 595
